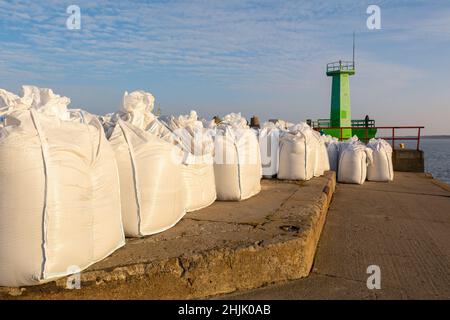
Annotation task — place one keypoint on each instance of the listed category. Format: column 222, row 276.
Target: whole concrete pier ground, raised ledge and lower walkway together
column 265, row 247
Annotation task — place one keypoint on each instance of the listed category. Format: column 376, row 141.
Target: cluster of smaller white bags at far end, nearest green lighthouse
column 297, row 152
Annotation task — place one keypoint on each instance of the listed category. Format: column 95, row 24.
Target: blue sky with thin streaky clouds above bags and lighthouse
column 264, row 57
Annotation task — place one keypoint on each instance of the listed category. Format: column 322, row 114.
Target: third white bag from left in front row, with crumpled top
column 196, row 142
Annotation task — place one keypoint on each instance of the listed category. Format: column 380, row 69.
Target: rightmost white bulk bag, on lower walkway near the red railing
column 381, row 168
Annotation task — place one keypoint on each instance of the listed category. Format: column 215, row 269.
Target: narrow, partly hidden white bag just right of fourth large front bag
column 269, row 138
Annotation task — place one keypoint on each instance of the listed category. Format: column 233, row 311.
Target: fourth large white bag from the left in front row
column 237, row 163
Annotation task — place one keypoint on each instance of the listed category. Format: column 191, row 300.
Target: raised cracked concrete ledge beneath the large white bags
column 226, row 247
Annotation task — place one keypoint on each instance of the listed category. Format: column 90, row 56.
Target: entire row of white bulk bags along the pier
column 90, row 181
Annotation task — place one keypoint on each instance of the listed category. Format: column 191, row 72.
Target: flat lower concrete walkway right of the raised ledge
column 403, row 227
